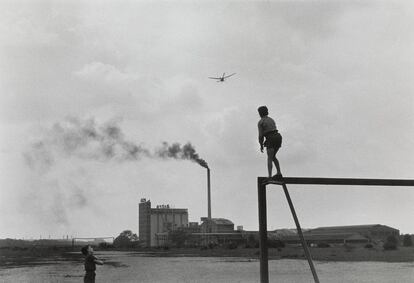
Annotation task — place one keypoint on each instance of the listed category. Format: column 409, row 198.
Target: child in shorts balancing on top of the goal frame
column 267, row 129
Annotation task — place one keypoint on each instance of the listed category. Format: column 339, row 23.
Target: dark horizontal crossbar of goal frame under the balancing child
column 337, row 181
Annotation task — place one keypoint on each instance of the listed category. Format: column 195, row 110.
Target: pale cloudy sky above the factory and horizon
column 90, row 91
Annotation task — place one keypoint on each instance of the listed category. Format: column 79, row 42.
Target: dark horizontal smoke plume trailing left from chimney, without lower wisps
column 86, row 140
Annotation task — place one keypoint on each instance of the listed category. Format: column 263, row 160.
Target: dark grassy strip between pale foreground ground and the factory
column 30, row 256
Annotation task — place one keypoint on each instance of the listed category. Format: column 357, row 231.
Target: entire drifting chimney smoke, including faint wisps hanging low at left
column 60, row 164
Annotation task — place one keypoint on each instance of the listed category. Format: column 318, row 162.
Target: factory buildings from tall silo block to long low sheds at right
column 159, row 225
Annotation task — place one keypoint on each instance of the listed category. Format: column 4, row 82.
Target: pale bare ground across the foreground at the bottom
column 122, row 266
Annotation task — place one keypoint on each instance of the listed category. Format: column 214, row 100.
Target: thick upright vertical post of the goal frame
column 264, row 262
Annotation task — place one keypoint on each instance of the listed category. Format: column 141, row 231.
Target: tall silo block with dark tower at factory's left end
column 155, row 223
